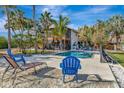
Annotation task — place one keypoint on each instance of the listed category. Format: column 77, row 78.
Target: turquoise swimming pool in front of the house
column 79, row 54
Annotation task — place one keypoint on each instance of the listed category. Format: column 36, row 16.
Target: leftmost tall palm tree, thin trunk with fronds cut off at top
column 7, row 9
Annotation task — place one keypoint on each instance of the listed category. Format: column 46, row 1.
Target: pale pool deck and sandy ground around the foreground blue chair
column 92, row 75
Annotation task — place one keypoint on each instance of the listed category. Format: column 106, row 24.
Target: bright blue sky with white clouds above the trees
column 79, row 14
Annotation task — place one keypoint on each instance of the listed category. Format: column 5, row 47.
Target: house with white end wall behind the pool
column 66, row 42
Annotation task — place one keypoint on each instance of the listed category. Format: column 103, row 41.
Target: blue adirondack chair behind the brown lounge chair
column 17, row 57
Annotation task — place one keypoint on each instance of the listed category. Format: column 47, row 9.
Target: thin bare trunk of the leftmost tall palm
column 9, row 31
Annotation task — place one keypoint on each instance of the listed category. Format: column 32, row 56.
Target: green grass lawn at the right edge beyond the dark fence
column 119, row 56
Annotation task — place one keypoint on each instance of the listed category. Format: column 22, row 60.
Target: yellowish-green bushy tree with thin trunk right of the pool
column 94, row 35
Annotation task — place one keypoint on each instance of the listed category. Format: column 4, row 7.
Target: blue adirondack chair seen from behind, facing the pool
column 70, row 66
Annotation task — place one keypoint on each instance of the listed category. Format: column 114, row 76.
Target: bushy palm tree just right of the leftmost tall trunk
column 18, row 25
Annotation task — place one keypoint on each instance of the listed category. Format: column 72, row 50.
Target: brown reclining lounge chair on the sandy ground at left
column 17, row 68
